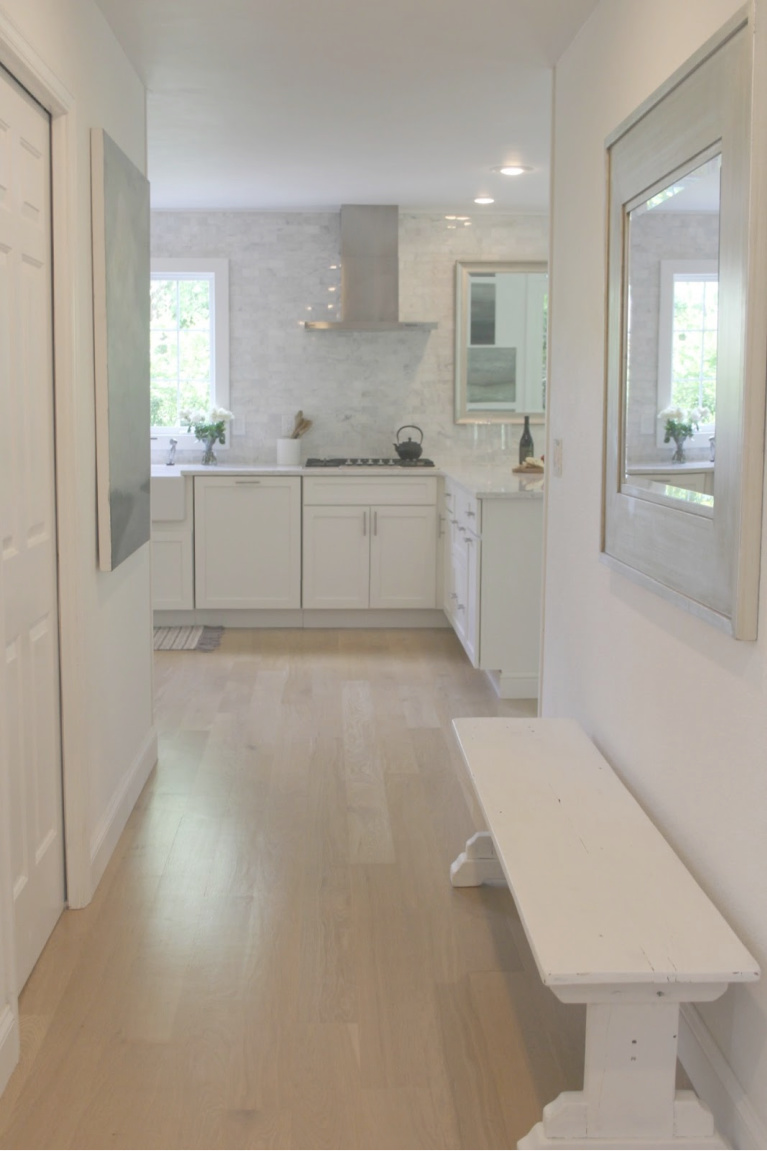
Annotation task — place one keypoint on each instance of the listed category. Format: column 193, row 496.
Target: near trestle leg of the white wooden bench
column 629, row 1097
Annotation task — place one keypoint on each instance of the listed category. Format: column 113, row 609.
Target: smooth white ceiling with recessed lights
column 313, row 104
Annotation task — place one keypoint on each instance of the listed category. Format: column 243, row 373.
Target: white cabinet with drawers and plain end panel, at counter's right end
column 493, row 571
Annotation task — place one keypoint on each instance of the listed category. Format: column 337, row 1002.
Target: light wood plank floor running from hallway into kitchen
column 276, row 957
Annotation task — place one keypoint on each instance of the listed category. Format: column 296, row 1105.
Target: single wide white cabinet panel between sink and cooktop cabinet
column 248, row 542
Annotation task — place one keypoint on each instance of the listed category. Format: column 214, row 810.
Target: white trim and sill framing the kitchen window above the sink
column 218, row 272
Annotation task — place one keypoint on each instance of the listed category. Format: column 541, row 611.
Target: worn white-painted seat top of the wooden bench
column 602, row 895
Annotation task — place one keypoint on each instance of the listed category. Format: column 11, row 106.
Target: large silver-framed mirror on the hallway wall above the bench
column 686, row 342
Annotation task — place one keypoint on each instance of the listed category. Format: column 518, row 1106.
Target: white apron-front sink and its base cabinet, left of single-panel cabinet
column 173, row 560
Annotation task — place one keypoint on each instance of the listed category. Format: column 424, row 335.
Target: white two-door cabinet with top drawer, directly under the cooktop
column 370, row 543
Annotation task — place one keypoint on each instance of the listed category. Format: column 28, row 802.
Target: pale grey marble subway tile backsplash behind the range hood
column 358, row 388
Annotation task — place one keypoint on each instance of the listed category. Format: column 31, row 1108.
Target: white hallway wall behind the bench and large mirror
column 679, row 708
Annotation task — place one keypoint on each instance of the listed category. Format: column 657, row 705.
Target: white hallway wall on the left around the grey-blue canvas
column 107, row 650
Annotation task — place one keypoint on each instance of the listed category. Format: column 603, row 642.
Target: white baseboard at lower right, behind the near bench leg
column 715, row 1081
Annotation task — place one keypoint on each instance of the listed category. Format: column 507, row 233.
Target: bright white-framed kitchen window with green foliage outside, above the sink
column 189, row 340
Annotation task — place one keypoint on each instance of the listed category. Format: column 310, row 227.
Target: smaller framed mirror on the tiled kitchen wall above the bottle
column 502, row 318
